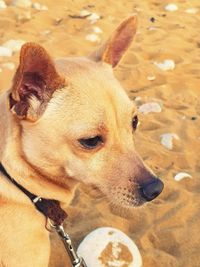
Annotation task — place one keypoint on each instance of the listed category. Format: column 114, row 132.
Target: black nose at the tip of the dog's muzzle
column 152, row 190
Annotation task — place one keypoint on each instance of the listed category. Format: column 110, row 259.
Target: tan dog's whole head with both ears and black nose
column 78, row 123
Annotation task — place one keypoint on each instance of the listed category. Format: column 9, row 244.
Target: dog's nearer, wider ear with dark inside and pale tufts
column 34, row 82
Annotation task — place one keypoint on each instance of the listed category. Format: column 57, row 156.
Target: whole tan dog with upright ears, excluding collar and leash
column 61, row 123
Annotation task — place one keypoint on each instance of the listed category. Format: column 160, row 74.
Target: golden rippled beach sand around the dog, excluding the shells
column 166, row 231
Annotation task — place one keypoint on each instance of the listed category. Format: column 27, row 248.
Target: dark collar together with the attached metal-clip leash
column 51, row 209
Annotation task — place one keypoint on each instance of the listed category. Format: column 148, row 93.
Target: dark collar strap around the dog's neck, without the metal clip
column 50, row 208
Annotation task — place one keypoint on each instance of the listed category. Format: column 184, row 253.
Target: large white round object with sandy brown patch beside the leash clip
column 109, row 247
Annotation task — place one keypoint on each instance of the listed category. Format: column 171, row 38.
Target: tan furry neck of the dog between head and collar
column 11, row 155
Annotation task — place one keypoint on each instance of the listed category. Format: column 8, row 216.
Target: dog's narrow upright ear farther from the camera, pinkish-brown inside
column 112, row 51
